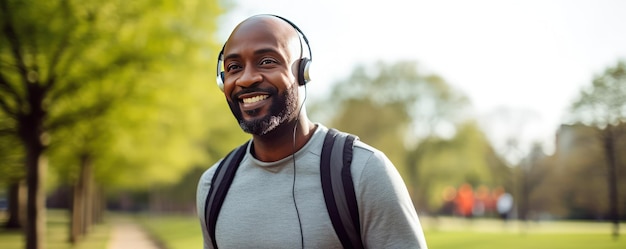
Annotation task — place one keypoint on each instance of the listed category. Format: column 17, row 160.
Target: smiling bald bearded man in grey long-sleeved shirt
column 276, row 199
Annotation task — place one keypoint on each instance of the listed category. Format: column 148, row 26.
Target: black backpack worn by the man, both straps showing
column 337, row 187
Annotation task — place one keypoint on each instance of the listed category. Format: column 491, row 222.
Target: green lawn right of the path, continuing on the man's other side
column 181, row 232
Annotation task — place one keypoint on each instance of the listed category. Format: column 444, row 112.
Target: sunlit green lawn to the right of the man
column 488, row 233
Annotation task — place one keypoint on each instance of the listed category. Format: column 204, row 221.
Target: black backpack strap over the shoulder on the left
column 220, row 183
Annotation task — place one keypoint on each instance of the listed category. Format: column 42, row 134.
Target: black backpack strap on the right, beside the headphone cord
column 338, row 187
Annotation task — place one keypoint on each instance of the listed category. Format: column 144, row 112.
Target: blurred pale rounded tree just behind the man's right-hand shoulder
column 417, row 119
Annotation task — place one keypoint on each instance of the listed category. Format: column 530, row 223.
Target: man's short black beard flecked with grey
column 282, row 108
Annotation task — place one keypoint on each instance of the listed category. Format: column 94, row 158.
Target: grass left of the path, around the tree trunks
column 57, row 226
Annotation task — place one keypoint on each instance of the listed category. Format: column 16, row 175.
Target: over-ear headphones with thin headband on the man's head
column 303, row 64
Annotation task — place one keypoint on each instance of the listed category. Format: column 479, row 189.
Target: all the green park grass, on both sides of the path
column 183, row 231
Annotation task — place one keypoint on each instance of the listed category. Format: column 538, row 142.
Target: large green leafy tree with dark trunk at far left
column 60, row 62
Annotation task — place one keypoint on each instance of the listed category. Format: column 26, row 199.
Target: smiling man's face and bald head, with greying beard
column 258, row 82
